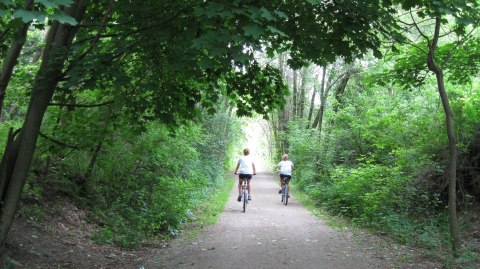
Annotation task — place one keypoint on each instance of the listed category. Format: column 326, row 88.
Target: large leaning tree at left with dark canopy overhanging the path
column 170, row 60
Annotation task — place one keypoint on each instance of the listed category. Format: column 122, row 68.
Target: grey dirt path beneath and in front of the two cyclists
column 268, row 235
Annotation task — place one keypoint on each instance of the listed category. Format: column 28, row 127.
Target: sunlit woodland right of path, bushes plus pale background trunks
column 376, row 153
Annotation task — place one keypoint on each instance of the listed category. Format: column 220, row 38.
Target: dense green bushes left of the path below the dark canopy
column 145, row 184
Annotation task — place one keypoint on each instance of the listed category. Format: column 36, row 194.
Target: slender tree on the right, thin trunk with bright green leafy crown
column 439, row 31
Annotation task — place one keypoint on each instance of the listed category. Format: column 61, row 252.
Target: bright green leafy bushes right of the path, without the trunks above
column 380, row 158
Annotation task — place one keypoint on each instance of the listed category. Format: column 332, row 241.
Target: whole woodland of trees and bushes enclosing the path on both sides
column 136, row 115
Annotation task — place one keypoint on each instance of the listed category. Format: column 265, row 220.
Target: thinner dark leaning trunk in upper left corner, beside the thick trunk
column 12, row 56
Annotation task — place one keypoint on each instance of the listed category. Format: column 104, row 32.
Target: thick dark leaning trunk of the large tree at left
column 44, row 86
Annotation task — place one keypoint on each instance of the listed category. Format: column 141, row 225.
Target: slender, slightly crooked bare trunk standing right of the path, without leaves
column 452, row 148
